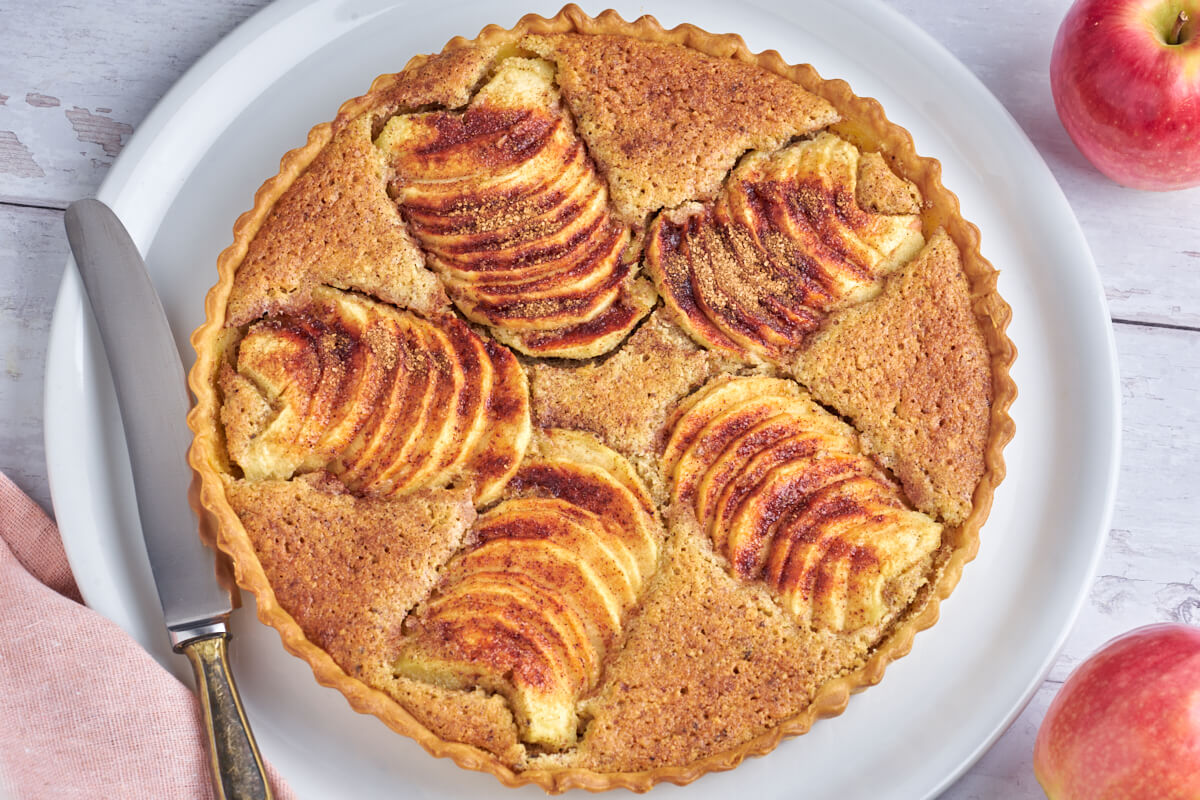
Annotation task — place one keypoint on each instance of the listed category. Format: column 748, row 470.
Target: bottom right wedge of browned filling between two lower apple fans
column 725, row 660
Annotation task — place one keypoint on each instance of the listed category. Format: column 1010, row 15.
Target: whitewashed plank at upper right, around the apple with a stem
column 1144, row 243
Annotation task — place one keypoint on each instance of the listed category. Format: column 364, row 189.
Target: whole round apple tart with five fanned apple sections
column 599, row 405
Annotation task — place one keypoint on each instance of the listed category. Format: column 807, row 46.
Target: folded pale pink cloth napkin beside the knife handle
column 85, row 712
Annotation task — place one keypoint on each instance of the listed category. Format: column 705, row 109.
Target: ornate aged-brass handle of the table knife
column 237, row 766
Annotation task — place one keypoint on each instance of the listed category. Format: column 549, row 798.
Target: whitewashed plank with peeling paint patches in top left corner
column 76, row 83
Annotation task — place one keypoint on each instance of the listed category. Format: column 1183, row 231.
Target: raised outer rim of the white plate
column 116, row 187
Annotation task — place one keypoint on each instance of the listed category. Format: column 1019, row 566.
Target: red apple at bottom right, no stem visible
column 1126, row 725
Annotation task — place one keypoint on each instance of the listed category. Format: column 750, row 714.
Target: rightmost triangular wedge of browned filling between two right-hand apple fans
column 913, row 372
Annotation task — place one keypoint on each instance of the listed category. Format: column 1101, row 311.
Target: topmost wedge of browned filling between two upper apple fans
column 667, row 127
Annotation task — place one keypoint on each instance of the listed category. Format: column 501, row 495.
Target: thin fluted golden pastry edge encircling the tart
column 431, row 721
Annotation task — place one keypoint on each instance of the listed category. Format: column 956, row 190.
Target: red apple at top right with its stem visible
column 1126, row 81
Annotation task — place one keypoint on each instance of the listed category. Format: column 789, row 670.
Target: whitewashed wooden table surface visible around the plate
column 76, row 80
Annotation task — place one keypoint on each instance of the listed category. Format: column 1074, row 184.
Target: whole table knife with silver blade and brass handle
column 153, row 399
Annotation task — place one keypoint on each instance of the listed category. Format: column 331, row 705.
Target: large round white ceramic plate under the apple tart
column 194, row 167
